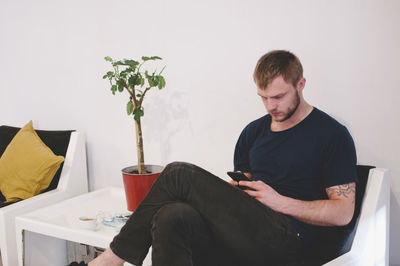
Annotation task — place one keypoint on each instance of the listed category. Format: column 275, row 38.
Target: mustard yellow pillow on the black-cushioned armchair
column 27, row 166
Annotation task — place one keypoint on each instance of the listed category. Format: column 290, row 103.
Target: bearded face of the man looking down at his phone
column 280, row 99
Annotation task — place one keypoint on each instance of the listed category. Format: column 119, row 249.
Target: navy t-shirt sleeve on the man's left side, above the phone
column 241, row 155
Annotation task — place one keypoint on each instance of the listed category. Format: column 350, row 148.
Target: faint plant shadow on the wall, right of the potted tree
column 172, row 117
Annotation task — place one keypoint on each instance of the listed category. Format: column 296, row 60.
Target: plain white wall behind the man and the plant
column 51, row 64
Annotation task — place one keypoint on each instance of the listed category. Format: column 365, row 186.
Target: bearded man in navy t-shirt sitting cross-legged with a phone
column 301, row 168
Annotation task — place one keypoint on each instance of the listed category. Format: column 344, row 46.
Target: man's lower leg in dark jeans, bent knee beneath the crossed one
column 181, row 237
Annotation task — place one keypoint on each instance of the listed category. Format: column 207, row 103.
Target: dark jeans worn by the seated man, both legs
column 191, row 217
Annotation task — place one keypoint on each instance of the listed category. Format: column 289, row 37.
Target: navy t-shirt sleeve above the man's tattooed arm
column 340, row 160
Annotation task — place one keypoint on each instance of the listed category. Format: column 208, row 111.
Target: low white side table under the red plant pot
column 59, row 222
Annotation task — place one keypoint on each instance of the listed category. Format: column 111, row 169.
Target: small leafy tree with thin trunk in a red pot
column 127, row 75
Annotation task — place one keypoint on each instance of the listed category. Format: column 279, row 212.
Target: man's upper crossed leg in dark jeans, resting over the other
column 248, row 230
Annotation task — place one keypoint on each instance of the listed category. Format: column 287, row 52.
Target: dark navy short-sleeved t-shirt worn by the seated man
column 300, row 162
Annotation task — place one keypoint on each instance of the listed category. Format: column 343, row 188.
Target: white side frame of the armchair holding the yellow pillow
column 73, row 181
